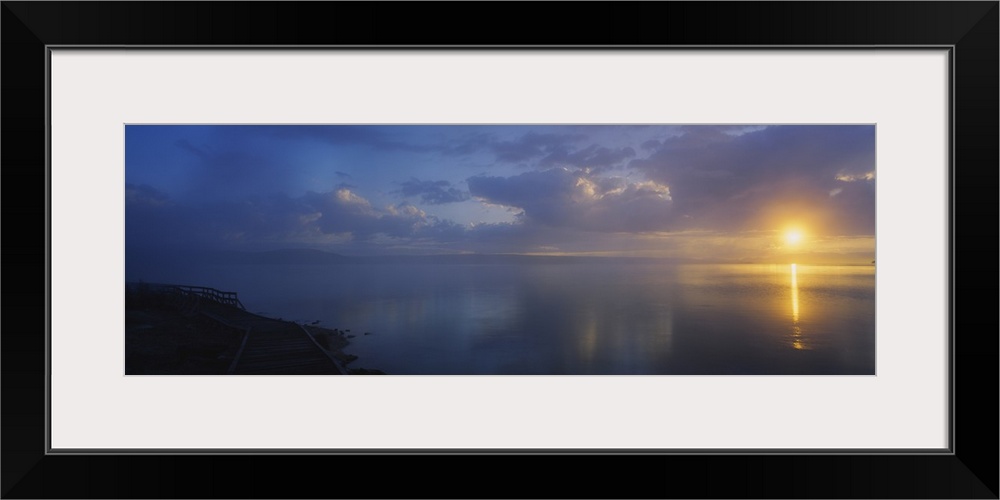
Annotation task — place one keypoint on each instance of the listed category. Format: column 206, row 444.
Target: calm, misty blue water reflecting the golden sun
column 574, row 318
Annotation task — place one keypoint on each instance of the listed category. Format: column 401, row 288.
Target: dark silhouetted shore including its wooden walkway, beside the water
column 168, row 332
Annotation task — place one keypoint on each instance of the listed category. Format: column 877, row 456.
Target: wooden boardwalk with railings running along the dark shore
column 273, row 347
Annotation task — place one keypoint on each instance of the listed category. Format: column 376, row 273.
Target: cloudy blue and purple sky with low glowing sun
column 743, row 193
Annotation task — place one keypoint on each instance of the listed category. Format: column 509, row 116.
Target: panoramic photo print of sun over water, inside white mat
column 617, row 249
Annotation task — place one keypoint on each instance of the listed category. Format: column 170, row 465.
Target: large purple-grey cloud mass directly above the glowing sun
column 723, row 179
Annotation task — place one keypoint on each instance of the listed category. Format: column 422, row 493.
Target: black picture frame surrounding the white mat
column 969, row 28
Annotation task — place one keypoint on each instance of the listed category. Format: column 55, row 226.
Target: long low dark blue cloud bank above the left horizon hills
column 275, row 221
